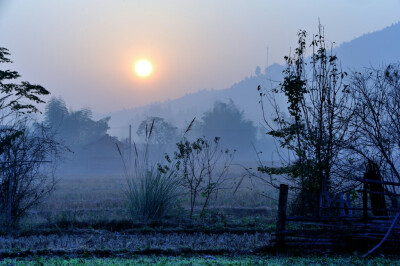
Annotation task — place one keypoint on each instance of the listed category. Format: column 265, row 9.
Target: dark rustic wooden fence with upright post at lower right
column 360, row 224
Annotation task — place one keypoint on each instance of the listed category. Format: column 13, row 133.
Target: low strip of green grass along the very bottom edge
column 206, row 260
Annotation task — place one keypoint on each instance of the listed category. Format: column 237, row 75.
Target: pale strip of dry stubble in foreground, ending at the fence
column 103, row 240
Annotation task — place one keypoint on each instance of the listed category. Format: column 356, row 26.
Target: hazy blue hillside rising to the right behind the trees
column 372, row 49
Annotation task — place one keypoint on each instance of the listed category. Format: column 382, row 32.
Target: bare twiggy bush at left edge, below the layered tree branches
column 27, row 166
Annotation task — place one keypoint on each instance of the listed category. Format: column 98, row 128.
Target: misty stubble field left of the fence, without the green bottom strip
column 87, row 216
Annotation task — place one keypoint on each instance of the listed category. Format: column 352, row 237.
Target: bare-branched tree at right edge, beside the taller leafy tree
column 376, row 121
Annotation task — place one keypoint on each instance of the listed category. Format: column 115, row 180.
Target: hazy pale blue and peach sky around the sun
column 85, row 50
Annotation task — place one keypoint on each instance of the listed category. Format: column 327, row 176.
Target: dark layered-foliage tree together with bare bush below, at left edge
column 23, row 148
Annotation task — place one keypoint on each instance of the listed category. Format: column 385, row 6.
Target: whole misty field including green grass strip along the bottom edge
column 85, row 221
